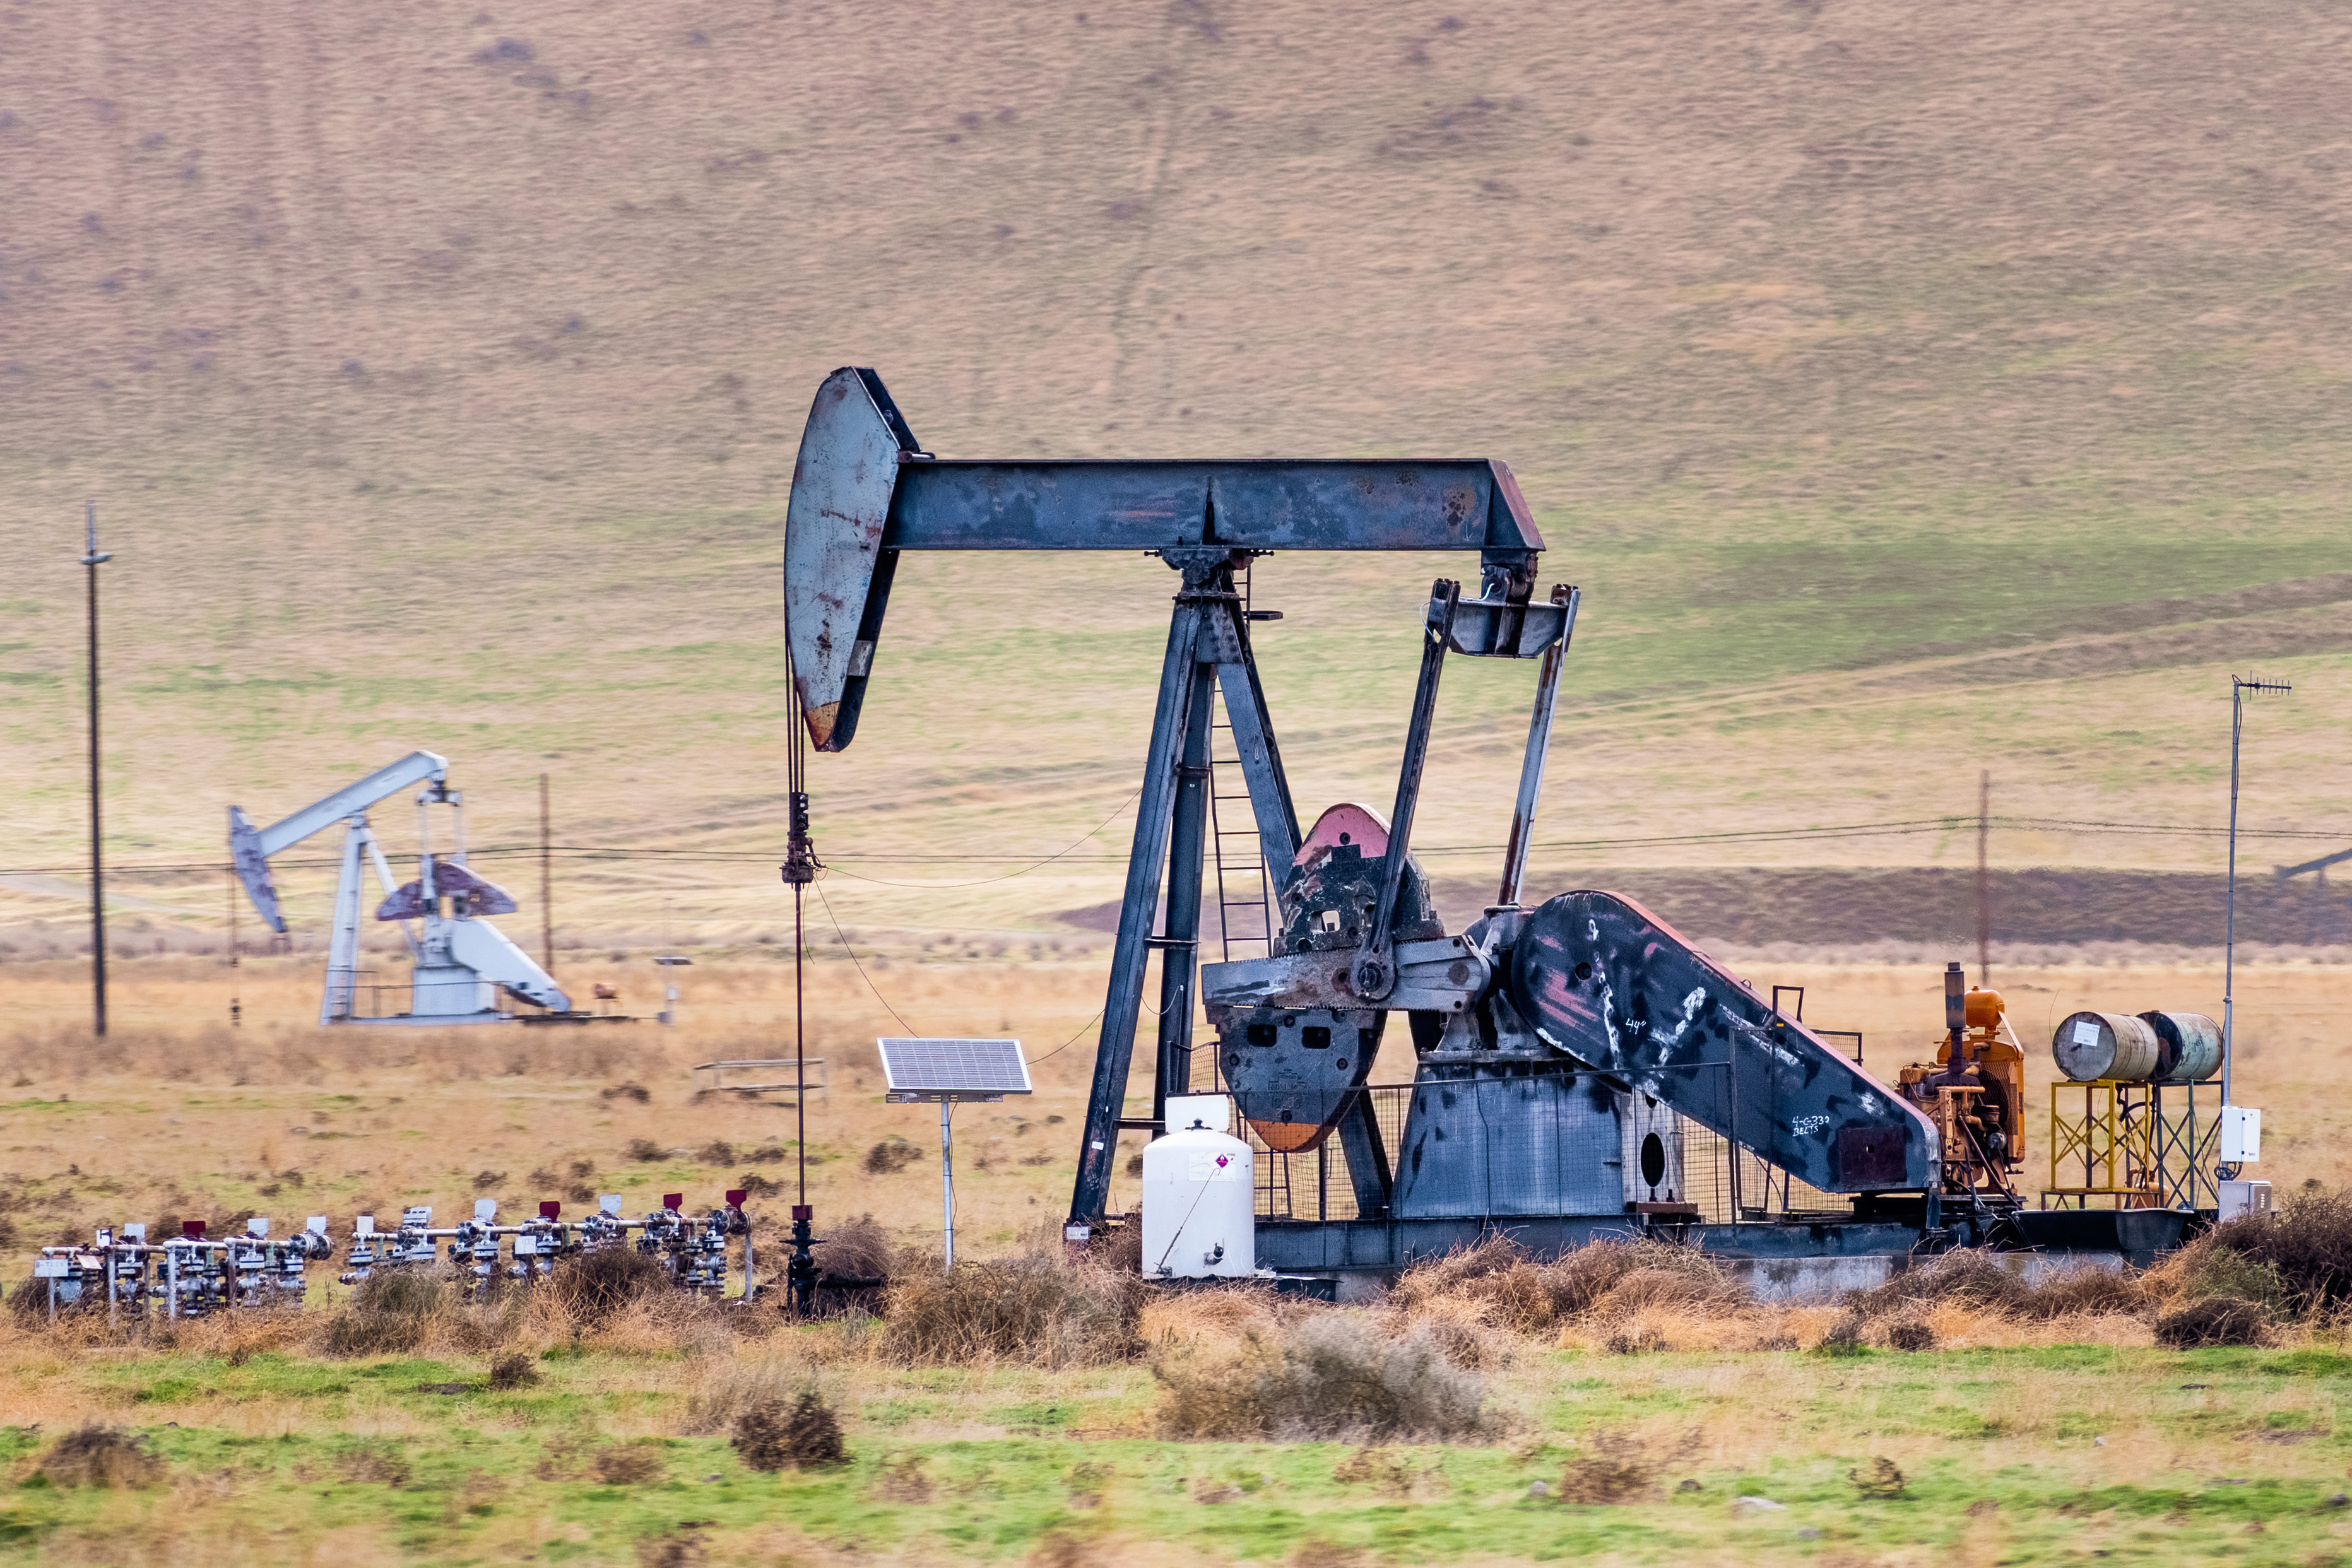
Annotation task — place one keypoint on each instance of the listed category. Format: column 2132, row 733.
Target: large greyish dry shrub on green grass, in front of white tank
column 1330, row 1376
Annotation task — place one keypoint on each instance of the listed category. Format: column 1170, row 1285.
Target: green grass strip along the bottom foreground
column 944, row 1477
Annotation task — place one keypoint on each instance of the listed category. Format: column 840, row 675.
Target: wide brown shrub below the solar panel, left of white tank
column 1029, row 1311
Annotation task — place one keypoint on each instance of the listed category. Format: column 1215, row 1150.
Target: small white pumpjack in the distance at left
column 462, row 963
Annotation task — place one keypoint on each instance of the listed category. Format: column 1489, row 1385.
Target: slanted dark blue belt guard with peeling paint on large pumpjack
column 1617, row 989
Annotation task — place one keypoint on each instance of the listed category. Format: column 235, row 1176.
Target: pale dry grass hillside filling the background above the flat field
column 1911, row 391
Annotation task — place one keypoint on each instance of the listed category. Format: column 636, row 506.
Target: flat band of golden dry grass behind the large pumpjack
column 180, row 1113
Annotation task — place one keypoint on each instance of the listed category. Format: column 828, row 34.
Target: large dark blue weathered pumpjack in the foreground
column 1563, row 1052
